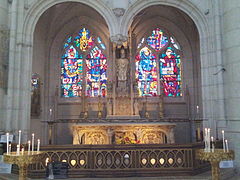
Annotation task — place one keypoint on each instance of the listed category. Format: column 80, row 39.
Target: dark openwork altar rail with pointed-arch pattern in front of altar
column 123, row 160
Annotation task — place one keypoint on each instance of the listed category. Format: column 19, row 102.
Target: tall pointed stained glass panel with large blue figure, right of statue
column 146, row 72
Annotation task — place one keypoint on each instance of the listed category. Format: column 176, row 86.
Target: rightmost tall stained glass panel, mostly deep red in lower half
column 170, row 72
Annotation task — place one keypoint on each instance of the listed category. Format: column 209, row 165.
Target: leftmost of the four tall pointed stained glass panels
column 72, row 73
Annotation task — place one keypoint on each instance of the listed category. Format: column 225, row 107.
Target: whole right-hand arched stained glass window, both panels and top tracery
column 165, row 48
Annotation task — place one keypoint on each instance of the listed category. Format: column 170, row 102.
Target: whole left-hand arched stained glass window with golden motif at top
column 74, row 62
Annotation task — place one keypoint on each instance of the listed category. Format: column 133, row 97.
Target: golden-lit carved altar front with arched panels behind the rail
column 123, row 133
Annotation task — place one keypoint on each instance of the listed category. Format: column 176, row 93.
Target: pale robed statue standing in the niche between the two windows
column 122, row 66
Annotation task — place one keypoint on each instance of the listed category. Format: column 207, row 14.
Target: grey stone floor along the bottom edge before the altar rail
column 226, row 174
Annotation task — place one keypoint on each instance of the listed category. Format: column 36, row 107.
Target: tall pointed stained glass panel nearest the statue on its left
column 96, row 66
